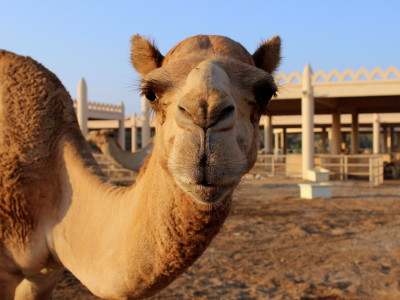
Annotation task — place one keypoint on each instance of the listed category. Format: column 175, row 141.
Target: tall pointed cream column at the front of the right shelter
column 307, row 121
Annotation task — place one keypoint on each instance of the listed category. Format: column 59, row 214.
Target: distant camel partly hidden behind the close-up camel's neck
column 106, row 142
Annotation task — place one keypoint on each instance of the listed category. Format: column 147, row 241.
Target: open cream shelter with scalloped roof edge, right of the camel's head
column 336, row 94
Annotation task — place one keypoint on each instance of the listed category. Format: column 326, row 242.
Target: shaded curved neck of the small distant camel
column 125, row 159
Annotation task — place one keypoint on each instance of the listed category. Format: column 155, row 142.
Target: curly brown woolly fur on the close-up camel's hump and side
column 32, row 114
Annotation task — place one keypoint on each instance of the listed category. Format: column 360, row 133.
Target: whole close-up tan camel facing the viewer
column 58, row 211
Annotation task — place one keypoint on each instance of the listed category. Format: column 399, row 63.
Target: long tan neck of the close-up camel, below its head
column 130, row 240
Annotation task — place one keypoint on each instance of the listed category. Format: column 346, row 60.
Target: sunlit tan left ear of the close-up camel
column 145, row 56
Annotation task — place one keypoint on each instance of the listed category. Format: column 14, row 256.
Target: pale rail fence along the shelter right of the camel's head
column 341, row 167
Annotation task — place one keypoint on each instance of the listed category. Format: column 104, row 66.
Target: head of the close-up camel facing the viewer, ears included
column 208, row 93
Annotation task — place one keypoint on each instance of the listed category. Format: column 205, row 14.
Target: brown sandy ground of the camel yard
column 275, row 245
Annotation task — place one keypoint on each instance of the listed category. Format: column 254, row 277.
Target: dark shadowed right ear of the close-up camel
column 268, row 55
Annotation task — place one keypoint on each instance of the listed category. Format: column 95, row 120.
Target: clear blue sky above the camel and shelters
column 90, row 38
